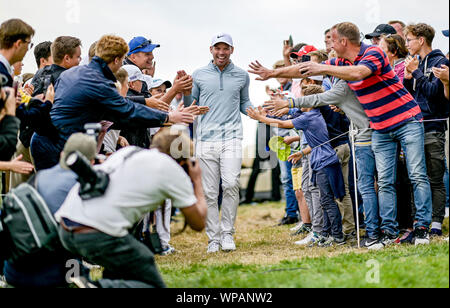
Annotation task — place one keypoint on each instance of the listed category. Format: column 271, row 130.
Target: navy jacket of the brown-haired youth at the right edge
column 428, row 91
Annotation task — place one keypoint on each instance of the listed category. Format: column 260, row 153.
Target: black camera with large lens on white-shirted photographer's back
column 93, row 183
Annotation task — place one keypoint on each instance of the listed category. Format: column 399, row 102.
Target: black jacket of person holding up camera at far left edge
column 9, row 127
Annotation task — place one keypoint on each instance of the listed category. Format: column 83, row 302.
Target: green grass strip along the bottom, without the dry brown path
column 406, row 267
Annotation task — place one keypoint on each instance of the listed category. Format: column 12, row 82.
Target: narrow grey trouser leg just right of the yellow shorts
column 312, row 196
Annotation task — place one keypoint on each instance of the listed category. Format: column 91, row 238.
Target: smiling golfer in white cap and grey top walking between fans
column 224, row 88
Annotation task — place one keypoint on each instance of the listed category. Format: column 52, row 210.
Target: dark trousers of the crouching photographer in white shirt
column 127, row 262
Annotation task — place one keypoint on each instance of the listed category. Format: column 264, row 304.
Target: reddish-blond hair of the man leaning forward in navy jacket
column 110, row 47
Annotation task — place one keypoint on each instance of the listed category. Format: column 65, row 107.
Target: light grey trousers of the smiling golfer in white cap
column 221, row 161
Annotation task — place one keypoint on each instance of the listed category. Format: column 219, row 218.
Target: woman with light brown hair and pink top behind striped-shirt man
column 395, row 48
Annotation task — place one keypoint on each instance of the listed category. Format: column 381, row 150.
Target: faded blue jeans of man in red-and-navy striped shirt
column 411, row 138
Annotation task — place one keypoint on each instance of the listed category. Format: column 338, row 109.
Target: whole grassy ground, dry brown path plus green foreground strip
column 267, row 258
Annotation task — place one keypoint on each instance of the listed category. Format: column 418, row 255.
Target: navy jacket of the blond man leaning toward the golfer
column 87, row 94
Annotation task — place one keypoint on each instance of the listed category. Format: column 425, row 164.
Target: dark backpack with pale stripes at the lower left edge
column 28, row 225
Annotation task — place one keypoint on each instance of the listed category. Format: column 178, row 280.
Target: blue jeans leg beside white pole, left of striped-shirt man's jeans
column 365, row 160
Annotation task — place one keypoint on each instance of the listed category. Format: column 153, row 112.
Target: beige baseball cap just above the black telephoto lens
column 85, row 144
